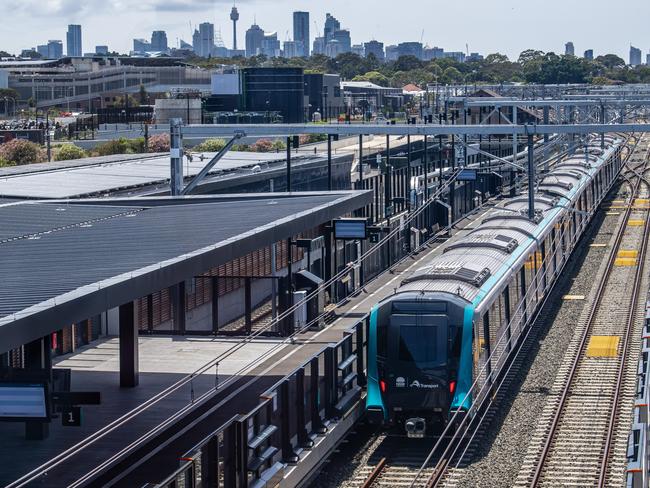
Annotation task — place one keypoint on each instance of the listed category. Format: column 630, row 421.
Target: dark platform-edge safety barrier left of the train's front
column 256, row 449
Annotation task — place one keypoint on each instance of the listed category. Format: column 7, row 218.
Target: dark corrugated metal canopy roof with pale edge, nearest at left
column 62, row 262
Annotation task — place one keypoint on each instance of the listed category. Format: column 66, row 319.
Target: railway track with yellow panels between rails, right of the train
column 581, row 437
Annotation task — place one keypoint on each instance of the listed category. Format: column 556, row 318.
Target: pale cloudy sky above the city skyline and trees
column 505, row 26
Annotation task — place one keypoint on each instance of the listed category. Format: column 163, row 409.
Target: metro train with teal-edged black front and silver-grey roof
column 455, row 320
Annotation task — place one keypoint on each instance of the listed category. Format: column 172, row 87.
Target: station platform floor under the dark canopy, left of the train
column 164, row 360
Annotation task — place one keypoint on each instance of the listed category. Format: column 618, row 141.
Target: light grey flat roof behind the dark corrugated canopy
column 100, row 178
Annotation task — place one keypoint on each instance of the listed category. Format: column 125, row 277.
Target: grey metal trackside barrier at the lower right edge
column 638, row 444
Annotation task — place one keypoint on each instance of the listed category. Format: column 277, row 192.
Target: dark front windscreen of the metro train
column 423, row 345
